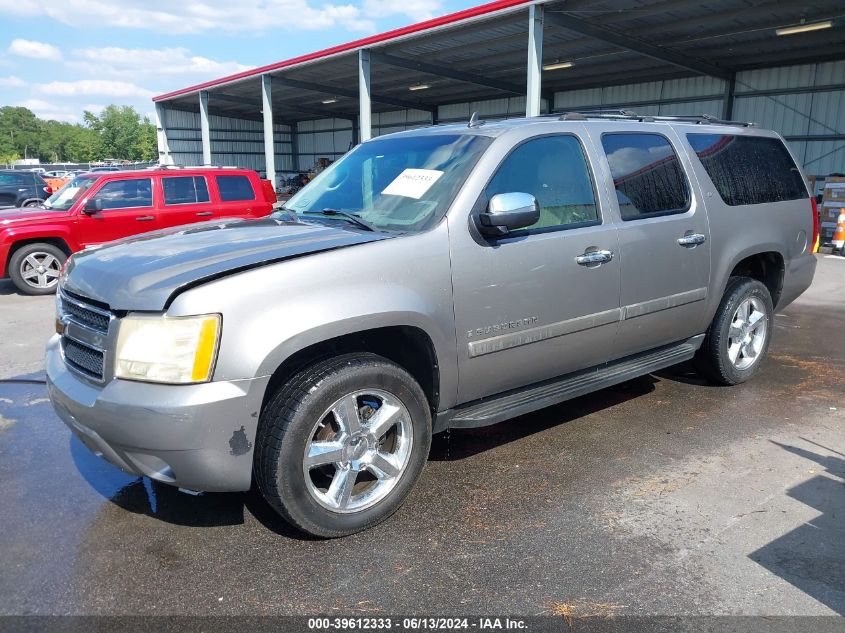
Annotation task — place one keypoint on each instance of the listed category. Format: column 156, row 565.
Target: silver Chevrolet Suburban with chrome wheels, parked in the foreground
column 454, row 276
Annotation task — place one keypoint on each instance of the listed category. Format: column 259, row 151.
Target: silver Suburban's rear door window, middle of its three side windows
column 647, row 174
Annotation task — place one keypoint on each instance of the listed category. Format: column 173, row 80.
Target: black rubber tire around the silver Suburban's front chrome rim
column 288, row 422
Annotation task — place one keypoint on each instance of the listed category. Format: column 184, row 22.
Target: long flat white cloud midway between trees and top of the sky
column 119, row 62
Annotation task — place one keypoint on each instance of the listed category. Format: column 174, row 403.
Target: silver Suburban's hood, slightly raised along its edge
column 144, row 272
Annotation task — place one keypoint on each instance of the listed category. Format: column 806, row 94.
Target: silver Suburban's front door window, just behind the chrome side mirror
column 553, row 170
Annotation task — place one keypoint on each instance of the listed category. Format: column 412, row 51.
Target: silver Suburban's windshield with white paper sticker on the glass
column 395, row 184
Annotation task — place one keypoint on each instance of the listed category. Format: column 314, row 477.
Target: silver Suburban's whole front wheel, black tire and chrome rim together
column 342, row 443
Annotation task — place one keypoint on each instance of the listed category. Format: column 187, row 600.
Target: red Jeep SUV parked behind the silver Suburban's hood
column 99, row 207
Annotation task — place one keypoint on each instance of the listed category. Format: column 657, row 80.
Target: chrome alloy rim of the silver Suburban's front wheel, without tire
column 358, row 450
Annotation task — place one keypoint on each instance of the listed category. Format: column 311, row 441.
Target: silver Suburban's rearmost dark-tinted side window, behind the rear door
column 749, row 169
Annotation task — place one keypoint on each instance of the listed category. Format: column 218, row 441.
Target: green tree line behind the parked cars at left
column 117, row 132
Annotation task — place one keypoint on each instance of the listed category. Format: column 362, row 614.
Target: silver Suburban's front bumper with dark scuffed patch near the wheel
column 193, row 436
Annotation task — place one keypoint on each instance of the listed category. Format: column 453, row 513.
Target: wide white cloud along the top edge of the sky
column 194, row 16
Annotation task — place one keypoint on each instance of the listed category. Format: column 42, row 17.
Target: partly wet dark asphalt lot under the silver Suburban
column 660, row 496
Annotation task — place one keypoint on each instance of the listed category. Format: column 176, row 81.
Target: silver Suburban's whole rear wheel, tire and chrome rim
column 739, row 336
